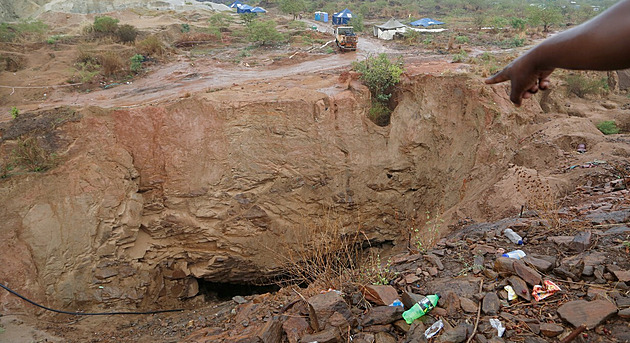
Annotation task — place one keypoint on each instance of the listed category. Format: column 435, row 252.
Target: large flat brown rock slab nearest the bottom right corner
column 590, row 313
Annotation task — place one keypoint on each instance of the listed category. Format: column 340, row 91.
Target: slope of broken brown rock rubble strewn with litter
column 586, row 256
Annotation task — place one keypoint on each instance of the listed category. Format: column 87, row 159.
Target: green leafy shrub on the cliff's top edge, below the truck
column 380, row 75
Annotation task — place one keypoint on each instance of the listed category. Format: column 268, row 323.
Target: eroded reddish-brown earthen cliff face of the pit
column 148, row 199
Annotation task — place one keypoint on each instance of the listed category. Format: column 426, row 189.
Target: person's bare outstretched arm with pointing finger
column 598, row 44
